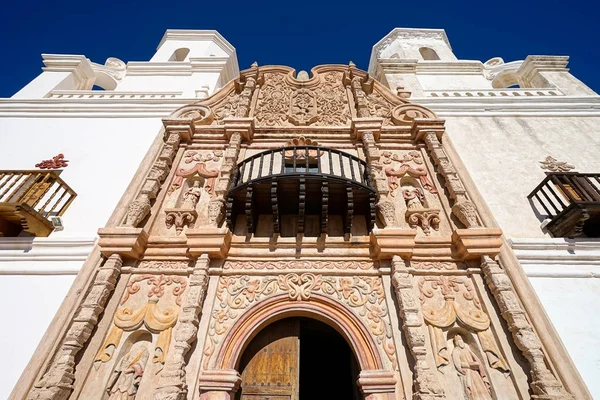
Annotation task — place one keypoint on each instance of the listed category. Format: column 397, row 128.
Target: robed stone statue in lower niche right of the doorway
column 476, row 384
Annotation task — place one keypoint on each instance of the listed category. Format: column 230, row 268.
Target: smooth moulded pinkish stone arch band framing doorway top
column 318, row 307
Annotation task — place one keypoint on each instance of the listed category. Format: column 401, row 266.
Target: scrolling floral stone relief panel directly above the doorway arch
column 363, row 295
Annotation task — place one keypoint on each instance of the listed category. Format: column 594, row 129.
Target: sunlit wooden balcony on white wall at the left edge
column 29, row 200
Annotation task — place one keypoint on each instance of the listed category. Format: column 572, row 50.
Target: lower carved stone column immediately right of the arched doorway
column 426, row 385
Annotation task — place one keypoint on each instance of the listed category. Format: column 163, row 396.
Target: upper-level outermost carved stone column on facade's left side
column 139, row 208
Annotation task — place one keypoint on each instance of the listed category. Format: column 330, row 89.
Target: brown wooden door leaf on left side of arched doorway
column 271, row 364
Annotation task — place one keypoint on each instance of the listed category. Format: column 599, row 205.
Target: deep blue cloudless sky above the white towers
column 298, row 34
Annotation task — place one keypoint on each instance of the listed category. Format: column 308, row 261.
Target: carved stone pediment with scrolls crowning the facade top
column 333, row 95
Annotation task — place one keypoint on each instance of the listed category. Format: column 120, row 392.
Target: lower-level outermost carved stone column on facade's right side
column 543, row 383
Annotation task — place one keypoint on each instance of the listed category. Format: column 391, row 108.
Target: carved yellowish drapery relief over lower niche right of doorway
column 451, row 300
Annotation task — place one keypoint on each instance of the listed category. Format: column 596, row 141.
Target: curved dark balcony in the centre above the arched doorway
column 306, row 190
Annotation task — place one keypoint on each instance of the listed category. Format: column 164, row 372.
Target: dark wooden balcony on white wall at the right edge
column 571, row 201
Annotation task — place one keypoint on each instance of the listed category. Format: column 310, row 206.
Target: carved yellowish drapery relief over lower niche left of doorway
column 137, row 313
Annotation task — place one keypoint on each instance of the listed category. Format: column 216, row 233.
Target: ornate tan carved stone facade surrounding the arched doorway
column 420, row 313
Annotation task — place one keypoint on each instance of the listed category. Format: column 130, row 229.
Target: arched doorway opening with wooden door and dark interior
column 298, row 358
